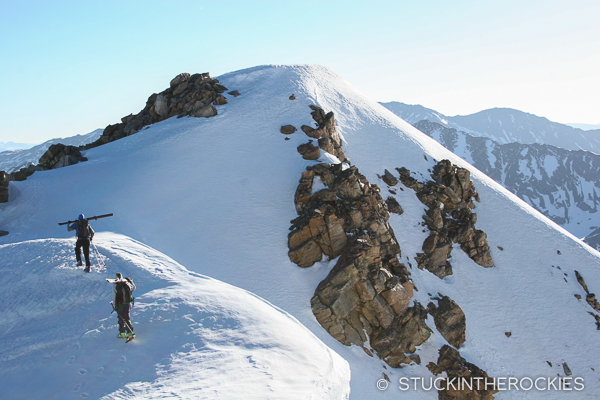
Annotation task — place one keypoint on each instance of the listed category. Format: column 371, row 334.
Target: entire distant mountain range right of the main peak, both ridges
column 561, row 183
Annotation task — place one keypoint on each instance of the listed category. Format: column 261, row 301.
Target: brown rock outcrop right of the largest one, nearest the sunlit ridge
column 449, row 218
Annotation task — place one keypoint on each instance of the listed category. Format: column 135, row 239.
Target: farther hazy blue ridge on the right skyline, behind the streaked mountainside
column 505, row 125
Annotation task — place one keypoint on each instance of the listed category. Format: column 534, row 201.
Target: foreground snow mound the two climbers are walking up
column 197, row 337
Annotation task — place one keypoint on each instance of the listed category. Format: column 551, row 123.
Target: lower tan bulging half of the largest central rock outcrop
column 361, row 297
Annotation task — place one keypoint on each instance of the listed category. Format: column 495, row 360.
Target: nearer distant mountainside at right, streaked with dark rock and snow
column 561, row 184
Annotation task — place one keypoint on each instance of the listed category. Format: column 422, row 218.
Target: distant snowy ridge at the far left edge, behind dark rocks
column 11, row 161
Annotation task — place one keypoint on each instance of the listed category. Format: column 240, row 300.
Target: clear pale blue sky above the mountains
column 69, row 67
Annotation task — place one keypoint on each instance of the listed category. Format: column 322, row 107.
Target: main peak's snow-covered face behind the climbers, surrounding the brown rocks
column 216, row 195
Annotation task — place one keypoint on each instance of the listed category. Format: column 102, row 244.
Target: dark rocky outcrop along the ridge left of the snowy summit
column 188, row 95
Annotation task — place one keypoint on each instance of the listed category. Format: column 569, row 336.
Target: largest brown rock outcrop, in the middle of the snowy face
column 365, row 297
